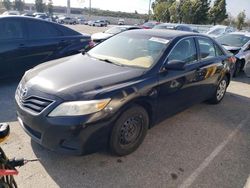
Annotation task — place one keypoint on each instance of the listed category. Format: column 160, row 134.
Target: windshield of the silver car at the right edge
column 233, row 40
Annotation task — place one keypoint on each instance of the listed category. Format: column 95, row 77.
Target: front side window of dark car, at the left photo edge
column 11, row 29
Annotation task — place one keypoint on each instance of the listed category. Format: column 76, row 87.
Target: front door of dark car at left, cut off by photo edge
column 12, row 44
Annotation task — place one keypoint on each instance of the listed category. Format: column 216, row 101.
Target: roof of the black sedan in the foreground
column 164, row 33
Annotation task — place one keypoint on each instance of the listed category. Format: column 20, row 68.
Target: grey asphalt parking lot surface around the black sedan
column 204, row 146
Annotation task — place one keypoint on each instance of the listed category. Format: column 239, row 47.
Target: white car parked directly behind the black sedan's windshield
column 99, row 37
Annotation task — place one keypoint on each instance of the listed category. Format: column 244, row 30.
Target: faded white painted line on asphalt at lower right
column 189, row 181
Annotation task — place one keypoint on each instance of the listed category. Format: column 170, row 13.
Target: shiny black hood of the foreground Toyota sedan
column 78, row 75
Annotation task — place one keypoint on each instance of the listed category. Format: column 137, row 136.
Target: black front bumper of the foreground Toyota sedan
column 71, row 135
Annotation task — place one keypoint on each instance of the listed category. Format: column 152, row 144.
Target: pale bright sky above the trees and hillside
column 141, row 6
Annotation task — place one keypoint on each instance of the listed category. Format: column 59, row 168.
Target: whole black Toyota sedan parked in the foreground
column 118, row 90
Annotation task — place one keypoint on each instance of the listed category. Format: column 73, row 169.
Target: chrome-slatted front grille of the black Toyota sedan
column 35, row 104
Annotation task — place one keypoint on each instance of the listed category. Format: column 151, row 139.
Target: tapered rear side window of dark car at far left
column 40, row 30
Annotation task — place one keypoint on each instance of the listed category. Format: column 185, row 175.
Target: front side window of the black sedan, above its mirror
column 185, row 51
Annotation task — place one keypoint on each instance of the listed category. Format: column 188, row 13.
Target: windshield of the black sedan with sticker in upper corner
column 130, row 50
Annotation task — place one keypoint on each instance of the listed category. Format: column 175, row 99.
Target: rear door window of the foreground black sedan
column 207, row 49
